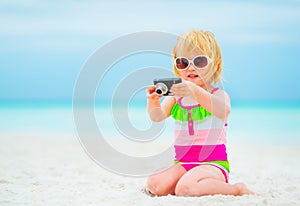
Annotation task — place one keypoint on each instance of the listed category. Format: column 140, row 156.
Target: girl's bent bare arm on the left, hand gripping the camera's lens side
column 156, row 110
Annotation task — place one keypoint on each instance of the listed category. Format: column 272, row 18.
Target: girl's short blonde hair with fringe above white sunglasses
column 206, row 42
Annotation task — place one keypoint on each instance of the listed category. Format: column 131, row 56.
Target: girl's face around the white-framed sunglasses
column 192, row 73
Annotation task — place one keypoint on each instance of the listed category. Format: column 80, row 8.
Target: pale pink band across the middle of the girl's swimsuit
column 201, row 137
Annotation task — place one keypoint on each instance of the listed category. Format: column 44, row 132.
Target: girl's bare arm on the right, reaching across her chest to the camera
column 218, row 103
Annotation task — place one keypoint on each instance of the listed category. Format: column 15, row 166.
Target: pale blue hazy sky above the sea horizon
column 45, row 44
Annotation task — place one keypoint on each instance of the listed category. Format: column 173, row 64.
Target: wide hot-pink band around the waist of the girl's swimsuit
column 198, row 153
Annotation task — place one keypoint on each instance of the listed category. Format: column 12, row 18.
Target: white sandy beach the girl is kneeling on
column 41, row 170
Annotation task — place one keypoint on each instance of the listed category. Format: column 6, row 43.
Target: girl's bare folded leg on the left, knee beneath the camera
column 164, row 183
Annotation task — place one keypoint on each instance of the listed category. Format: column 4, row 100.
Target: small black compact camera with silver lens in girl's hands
column 163, row 85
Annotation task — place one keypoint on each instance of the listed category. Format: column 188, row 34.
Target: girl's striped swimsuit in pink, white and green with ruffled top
column 200, row 137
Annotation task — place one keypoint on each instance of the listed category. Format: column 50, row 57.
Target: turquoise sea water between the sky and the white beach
column 262, row 123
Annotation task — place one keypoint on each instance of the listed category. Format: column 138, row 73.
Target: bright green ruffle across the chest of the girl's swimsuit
column 198, row 113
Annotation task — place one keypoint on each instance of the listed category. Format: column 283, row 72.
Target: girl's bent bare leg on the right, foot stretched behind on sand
column 207, row 180
